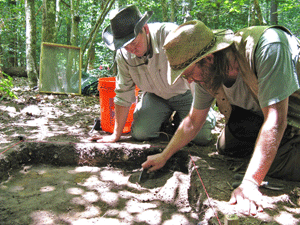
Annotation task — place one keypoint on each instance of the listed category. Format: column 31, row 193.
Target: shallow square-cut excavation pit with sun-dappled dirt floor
column 46, row 183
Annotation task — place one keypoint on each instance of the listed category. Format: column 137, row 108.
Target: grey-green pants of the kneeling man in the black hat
column 152, row 111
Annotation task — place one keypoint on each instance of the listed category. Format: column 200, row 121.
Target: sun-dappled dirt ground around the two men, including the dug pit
column 51, row 174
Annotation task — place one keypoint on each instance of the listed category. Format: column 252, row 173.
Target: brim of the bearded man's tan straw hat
column 222, row 42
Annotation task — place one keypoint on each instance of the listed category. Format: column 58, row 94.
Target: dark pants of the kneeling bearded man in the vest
column 238, row 140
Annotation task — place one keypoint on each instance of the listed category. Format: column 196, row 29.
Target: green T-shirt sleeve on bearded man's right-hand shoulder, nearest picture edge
column 274, row 67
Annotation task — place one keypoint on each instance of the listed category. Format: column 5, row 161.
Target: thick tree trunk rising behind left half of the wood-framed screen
column 49, row 29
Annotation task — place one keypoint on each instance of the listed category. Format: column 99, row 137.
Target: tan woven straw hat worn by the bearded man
column 191, row 42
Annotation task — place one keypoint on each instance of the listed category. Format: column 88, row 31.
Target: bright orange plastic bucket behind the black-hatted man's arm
column 106, row 87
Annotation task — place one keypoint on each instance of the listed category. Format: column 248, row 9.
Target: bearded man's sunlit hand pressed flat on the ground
column 248, row 199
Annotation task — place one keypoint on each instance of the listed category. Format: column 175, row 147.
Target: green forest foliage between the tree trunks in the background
column 216, row 14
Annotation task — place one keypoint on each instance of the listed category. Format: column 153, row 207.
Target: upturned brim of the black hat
column 115, row 44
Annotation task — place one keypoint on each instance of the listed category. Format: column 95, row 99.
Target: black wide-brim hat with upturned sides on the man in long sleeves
column 124, row 27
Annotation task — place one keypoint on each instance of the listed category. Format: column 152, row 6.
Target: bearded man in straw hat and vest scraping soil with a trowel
column 254, row 76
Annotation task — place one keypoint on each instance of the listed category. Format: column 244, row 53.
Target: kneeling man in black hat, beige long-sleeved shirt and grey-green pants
column 141, row 61
